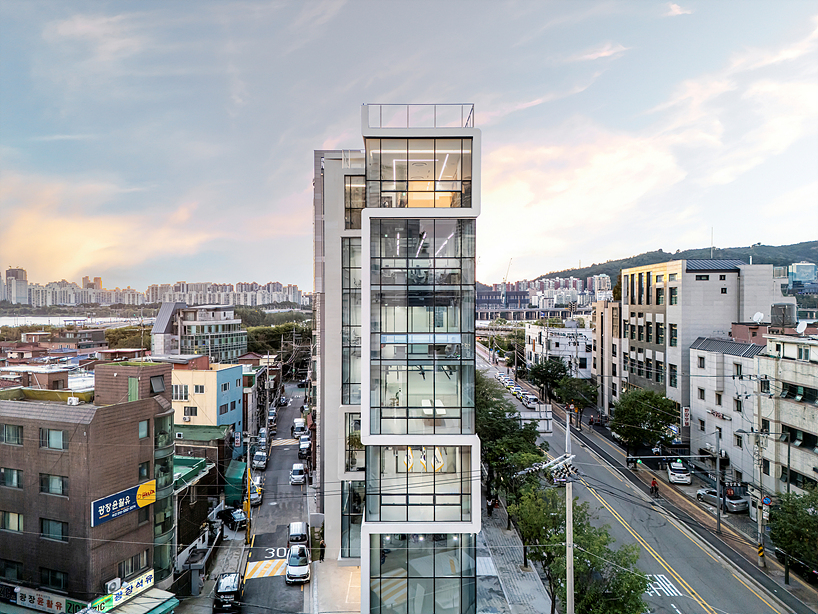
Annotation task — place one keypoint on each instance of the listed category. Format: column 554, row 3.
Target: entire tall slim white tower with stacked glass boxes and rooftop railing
column 394, row 311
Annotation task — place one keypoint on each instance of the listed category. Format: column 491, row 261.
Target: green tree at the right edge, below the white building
column 794, row 526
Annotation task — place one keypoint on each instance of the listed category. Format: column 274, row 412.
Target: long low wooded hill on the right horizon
column 781, row 255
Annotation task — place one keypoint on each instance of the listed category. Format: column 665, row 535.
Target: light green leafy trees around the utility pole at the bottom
column 606, row 580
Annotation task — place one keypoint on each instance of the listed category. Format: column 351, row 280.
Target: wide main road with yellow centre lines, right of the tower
column 687, row 576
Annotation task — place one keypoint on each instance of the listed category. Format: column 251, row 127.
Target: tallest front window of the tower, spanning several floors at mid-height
column 422, row 326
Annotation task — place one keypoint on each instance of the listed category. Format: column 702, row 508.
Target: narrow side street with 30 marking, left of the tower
column 281, row 505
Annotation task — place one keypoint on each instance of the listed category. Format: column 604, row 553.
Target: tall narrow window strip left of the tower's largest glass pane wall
column 351, row 321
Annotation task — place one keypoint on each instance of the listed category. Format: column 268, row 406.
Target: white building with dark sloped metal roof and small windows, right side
column 722, row 402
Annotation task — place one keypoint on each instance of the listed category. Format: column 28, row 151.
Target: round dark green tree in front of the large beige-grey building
column 643, row 416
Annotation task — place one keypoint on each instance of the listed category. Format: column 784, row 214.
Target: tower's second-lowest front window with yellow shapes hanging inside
column 418, row 483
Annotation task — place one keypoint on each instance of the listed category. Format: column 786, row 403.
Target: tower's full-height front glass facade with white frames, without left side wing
column 419, row 433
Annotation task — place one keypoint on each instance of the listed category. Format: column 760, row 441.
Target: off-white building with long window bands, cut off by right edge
column 788, row 409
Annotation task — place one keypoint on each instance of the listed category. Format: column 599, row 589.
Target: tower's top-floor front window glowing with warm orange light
column 418, row 172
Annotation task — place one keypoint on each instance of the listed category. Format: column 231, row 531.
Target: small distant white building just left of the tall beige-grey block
column 571, row 345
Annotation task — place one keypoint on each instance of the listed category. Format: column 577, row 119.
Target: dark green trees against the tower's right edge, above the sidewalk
column 501, row 434
